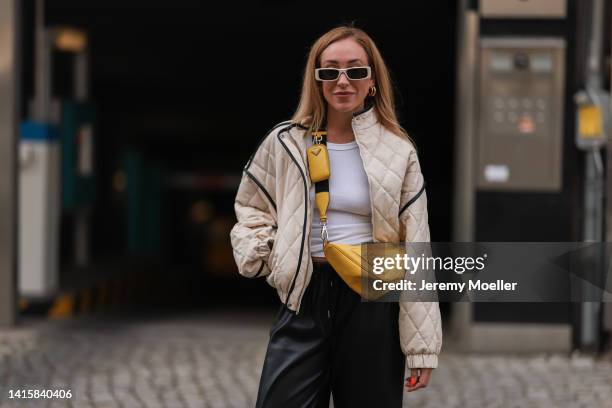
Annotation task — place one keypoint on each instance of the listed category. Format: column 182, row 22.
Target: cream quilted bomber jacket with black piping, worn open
column 271, row 238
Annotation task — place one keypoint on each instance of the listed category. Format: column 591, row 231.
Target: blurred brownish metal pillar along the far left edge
column 10, row 13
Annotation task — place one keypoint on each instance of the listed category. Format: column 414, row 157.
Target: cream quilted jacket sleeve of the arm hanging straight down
column 419, row 322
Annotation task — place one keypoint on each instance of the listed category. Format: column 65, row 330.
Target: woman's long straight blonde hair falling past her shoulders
column 312, row 107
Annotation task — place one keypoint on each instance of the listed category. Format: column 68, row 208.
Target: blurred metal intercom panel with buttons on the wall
column 520, row 123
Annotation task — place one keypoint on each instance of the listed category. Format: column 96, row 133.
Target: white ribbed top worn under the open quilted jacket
column 349, row 215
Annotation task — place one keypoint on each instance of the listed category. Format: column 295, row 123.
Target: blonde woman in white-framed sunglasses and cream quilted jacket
column 324, row 338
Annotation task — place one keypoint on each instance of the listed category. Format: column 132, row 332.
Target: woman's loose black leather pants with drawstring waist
column 337, row 344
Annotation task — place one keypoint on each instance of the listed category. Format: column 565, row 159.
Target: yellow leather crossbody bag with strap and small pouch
column 347, row 260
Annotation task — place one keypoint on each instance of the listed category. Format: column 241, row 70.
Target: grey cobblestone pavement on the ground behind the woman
column 214, row 360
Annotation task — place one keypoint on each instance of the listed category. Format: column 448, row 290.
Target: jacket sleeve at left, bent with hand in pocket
column 253, row 235
